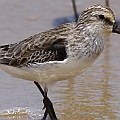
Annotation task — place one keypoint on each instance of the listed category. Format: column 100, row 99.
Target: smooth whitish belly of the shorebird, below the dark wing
column 49, row 72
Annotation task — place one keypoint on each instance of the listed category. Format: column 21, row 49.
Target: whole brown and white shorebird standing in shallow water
column 60, row 53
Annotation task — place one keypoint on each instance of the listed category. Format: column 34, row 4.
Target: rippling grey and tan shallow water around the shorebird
column 94, row 95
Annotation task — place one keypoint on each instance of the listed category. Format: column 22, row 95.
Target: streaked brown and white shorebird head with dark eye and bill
column 98, row 18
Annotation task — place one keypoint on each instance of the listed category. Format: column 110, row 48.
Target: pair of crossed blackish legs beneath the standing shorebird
column 47, row 104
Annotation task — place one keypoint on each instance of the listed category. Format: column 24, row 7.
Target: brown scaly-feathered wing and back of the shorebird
column 42, row 47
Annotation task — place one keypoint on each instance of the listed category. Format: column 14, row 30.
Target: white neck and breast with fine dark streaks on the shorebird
column 88, row 41
